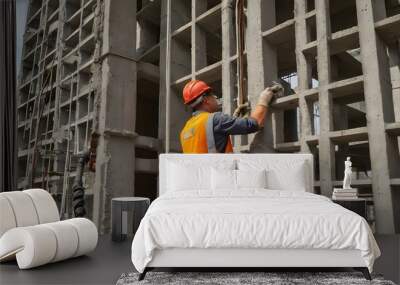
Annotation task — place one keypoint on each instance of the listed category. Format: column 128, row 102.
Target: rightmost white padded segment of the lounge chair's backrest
column 45, row 205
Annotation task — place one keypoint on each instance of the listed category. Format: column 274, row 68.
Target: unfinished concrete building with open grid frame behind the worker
column 113, row 73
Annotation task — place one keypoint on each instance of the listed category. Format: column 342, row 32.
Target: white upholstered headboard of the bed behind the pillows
column 200, row 159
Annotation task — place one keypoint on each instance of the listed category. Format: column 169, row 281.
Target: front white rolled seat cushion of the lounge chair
column 40, row 244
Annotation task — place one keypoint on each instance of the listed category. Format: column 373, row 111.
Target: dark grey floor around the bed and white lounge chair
column 110, row 260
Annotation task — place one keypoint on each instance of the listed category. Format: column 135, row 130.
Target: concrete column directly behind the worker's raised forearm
column 262, row 66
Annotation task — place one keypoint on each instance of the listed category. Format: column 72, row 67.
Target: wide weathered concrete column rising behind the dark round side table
column 117, row 112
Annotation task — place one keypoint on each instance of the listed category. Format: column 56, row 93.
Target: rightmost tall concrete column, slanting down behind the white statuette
column 379, row 109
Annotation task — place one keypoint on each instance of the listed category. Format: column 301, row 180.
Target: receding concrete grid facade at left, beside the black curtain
column 56, row 98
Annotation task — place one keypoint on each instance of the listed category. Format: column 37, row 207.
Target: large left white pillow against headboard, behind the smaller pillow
column 187, row 175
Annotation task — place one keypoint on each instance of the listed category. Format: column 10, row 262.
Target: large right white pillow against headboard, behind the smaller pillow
column 281, row 175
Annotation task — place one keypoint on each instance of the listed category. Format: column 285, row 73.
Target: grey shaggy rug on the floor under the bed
column 229, row 278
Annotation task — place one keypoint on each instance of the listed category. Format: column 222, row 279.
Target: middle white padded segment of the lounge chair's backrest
column 23, row 208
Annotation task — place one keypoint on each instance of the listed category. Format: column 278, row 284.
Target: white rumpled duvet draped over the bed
column 253, row 218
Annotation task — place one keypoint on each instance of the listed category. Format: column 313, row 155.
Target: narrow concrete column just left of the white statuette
column 326, row 147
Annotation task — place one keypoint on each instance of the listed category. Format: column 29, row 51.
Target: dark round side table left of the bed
column 119, row 215
